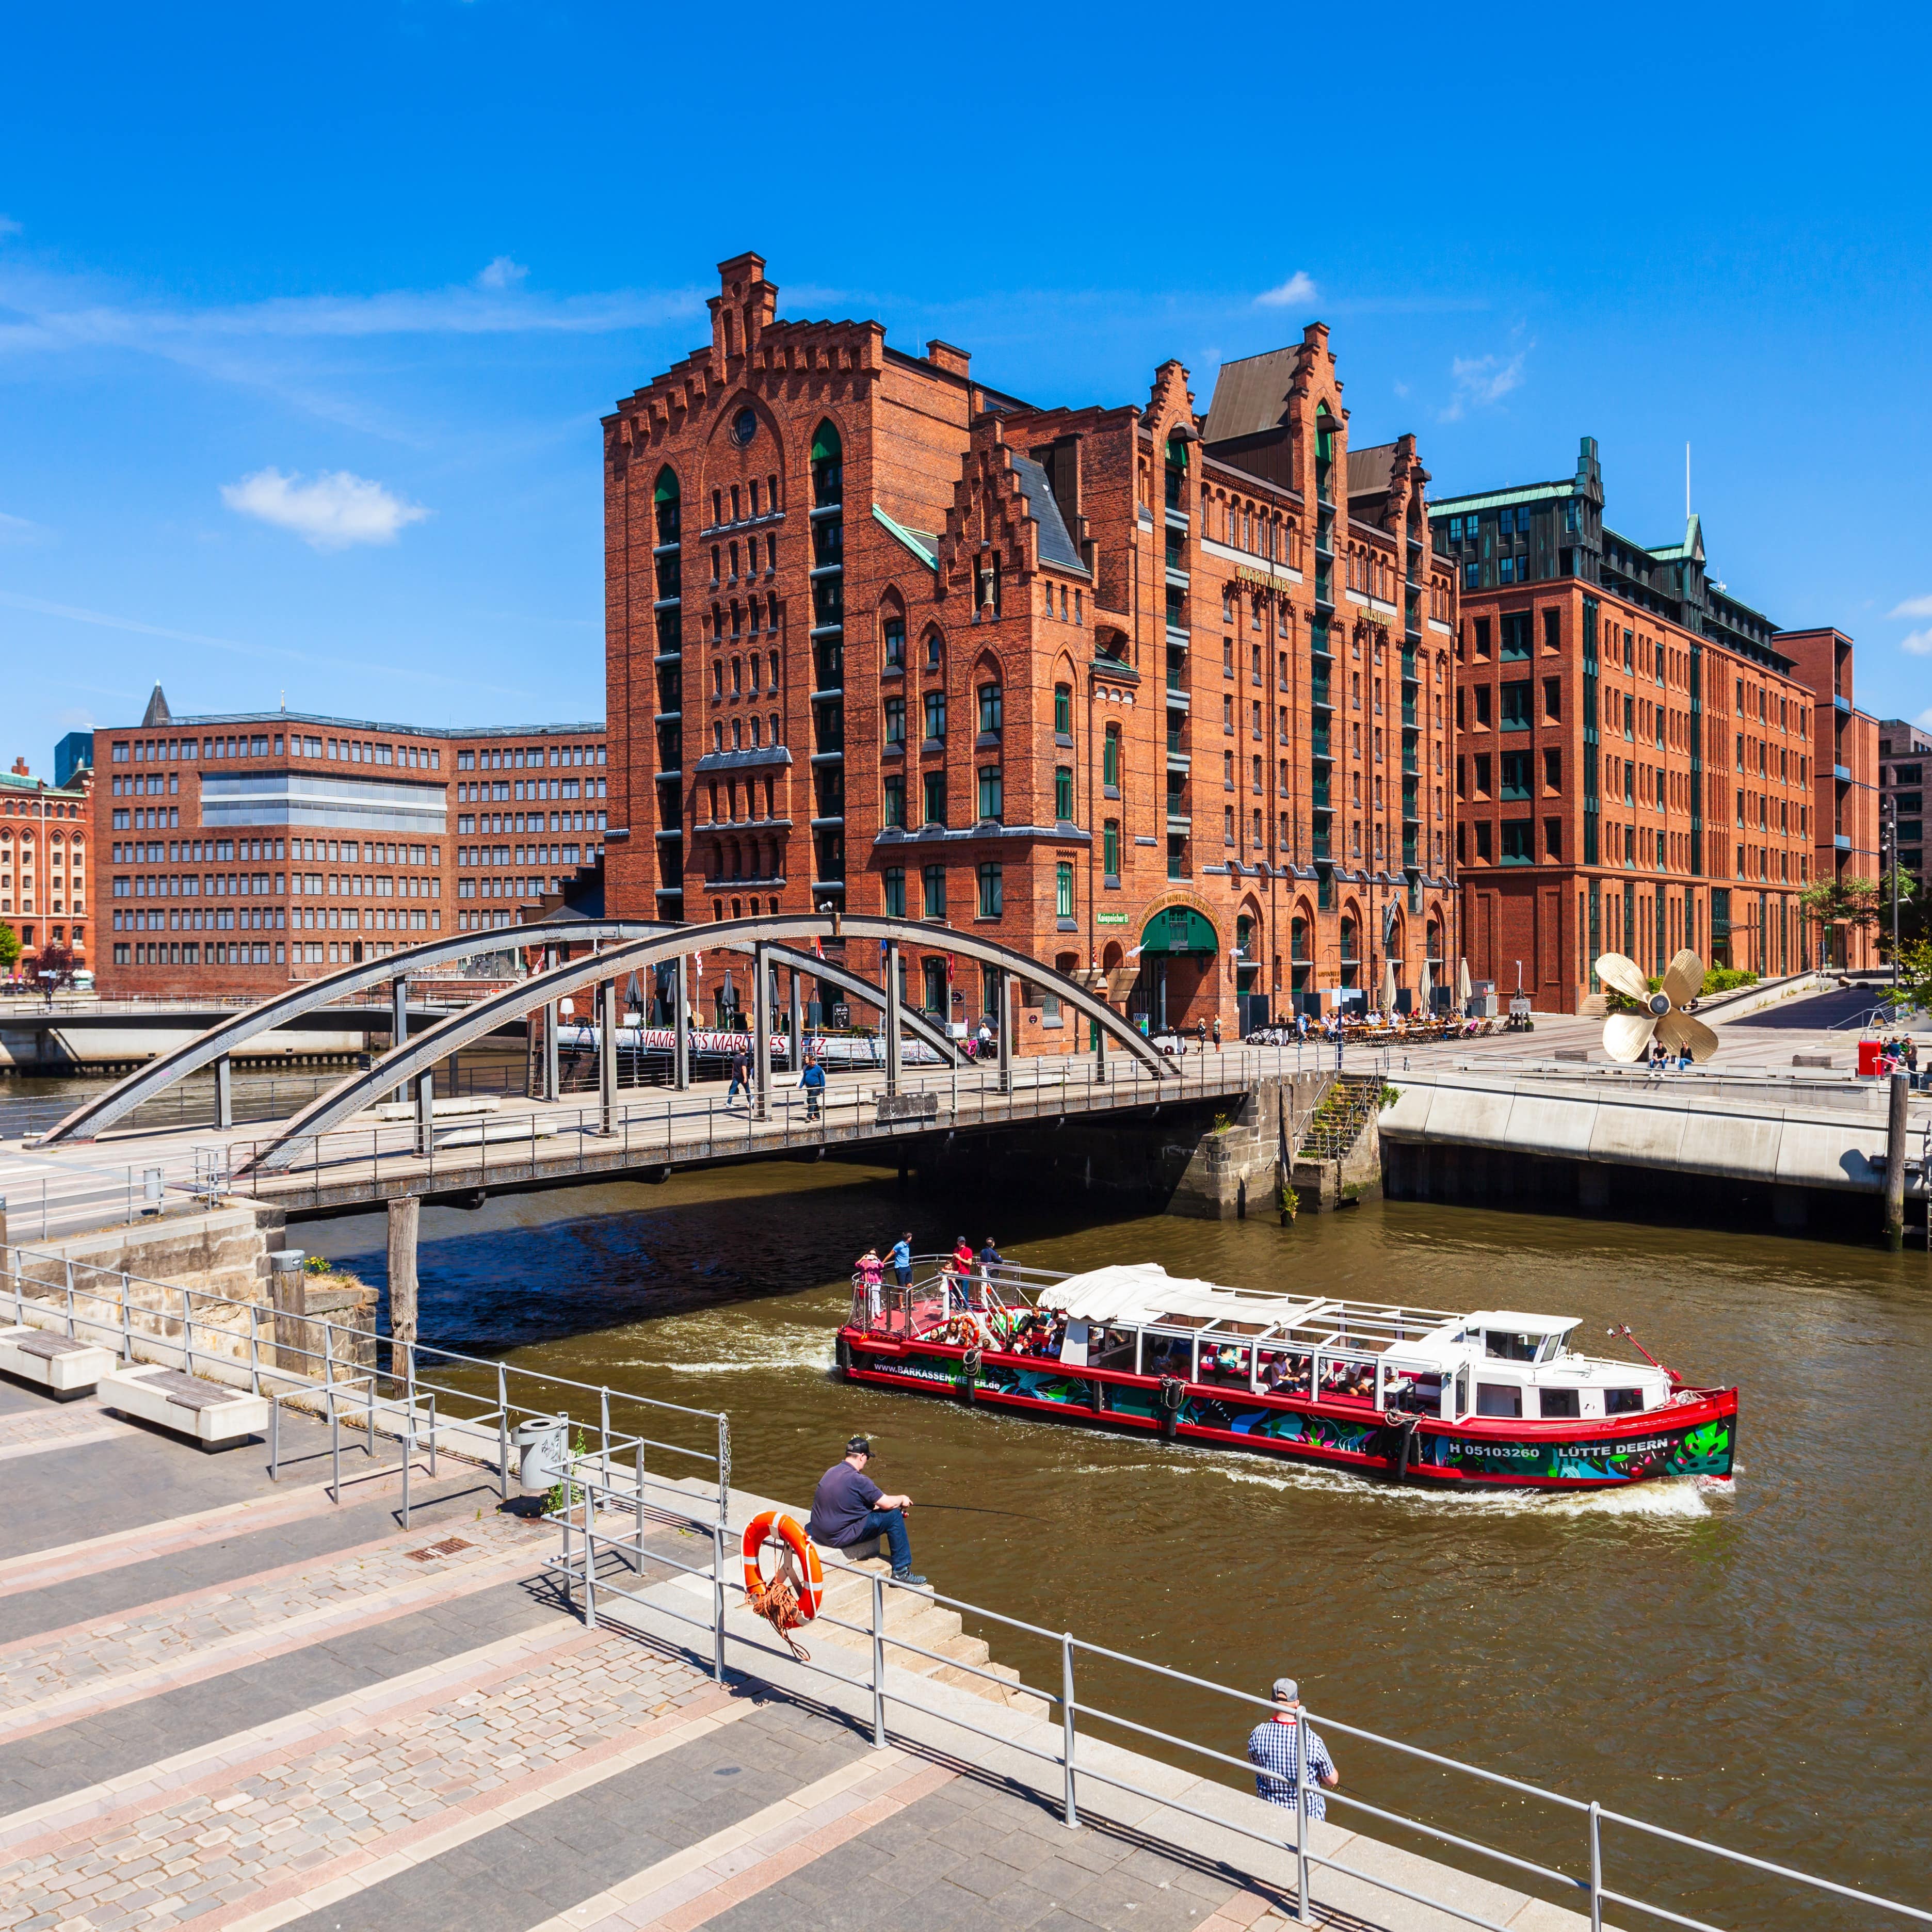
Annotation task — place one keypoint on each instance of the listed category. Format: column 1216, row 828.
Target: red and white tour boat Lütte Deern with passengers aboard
column 1496, row 1398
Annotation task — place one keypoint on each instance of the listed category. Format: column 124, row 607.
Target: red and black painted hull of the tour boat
column 1691, row 1438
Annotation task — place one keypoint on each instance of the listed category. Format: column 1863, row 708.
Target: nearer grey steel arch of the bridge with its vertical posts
column 416, row 1060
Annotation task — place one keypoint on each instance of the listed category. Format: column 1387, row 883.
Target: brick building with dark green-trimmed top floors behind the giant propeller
column 1643, row 762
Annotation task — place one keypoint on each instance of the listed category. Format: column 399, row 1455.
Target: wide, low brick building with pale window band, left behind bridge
column 254, row 849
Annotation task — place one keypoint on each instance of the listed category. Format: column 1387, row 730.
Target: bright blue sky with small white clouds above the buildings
column 308, row 314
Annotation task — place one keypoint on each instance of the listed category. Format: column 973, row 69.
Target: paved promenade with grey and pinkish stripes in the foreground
column 242, row 1707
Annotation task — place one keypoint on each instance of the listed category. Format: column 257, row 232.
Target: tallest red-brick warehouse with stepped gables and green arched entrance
column 1129, row 689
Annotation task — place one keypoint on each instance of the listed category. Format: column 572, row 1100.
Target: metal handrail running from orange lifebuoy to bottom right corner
column 579, row 1576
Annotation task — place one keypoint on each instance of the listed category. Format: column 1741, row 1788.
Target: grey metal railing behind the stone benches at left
column 416, row 1394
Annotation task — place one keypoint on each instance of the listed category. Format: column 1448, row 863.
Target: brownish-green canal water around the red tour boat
column 1747, row 1662
